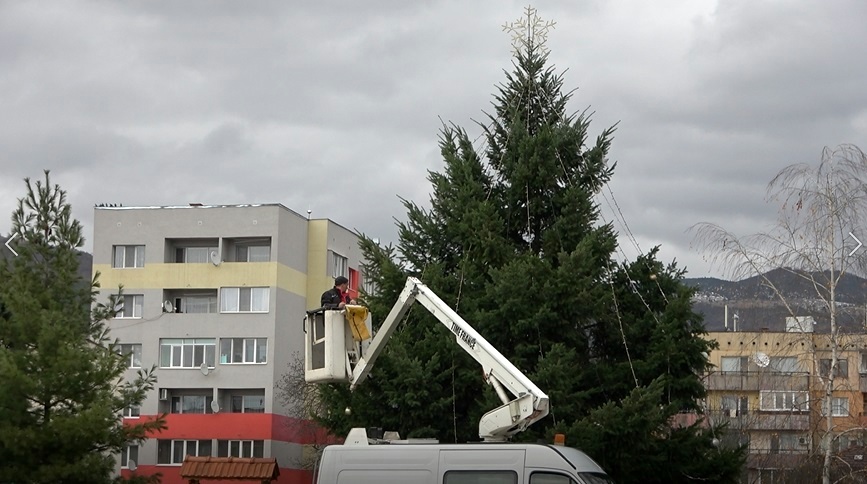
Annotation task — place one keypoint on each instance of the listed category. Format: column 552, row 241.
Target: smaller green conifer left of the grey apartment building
column 61, row 388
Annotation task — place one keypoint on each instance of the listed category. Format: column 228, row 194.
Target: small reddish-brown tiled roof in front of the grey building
column 229, row 468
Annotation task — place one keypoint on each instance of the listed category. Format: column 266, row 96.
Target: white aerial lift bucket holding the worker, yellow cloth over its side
column 333, row 341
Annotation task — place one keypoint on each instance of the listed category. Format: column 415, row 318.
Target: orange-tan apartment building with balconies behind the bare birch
column 769, row 387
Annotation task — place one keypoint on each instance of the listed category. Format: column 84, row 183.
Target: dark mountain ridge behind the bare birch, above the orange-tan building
column 757, row 306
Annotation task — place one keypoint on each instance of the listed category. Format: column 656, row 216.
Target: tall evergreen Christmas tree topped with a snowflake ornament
column 513, row 241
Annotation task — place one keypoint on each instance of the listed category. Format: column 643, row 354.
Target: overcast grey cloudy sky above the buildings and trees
column 335, row 107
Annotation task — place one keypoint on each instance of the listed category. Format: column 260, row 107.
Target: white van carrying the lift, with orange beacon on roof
column 357, row 462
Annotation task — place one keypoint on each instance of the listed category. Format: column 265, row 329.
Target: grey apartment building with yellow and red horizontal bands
column 214, row 297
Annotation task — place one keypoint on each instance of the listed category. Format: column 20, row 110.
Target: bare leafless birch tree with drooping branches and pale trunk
column 820, row 207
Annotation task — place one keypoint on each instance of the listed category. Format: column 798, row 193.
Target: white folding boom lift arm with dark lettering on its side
column 526, row 404
